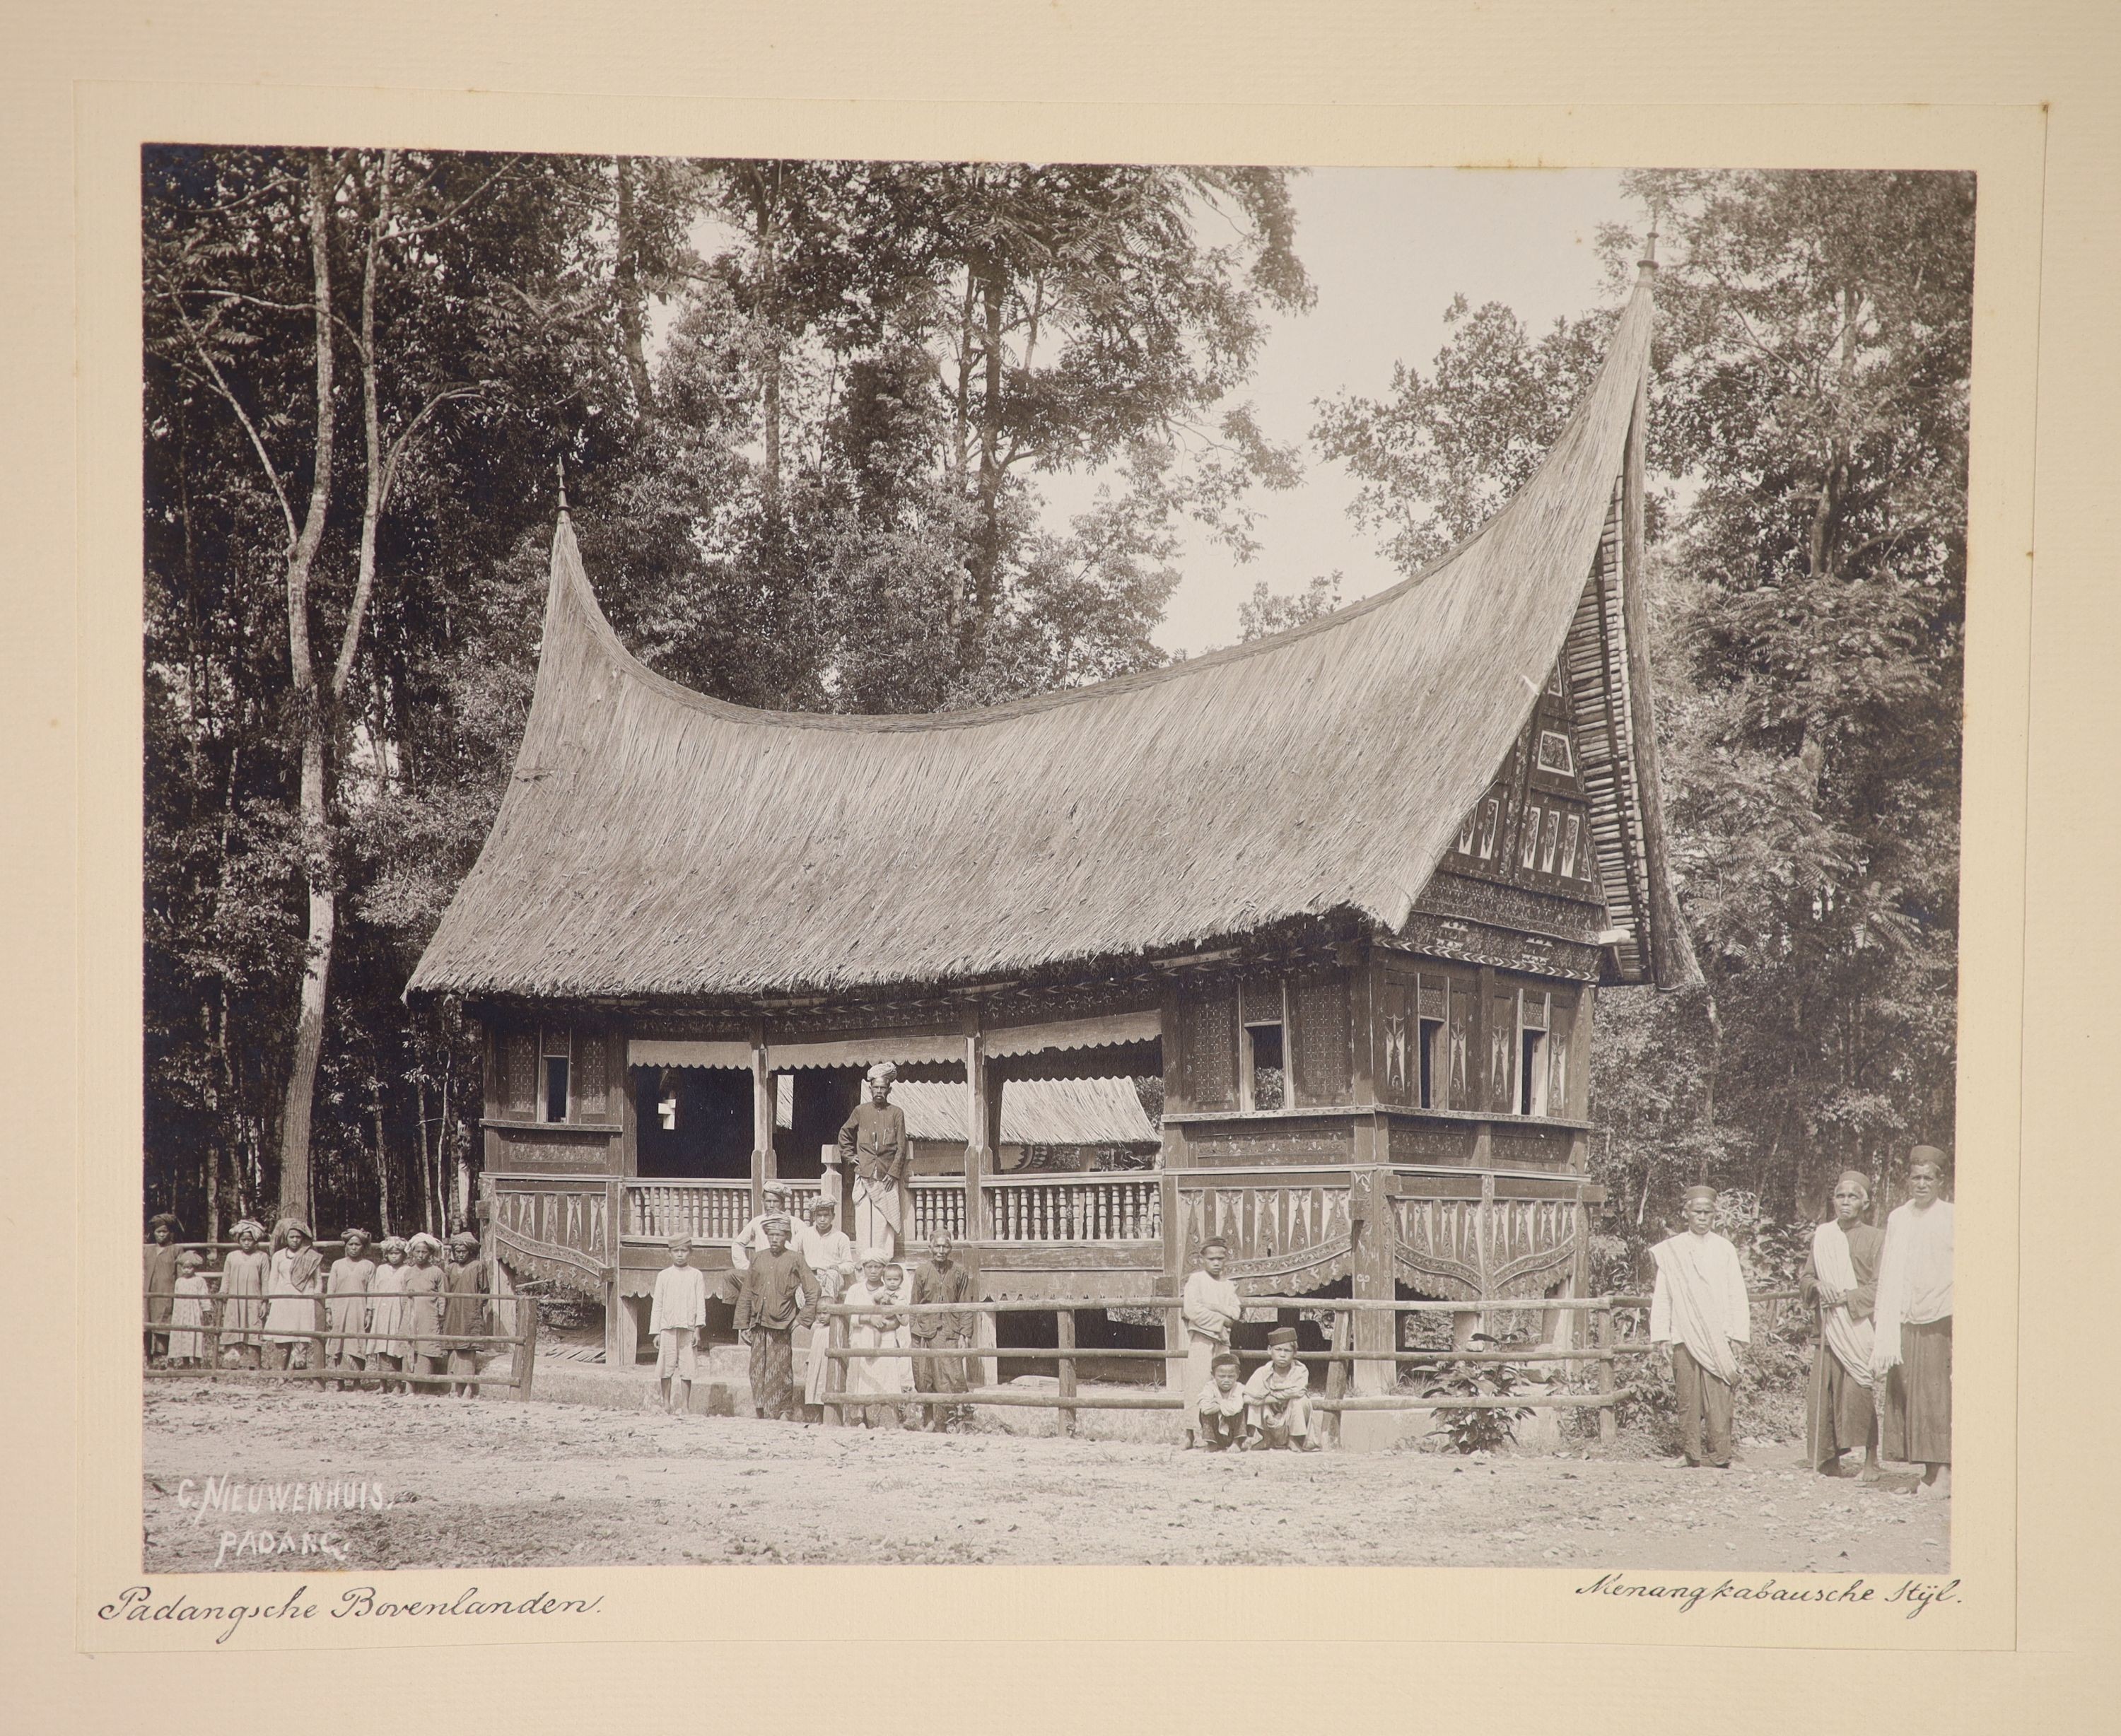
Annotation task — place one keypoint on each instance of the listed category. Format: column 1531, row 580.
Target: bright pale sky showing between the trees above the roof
column 1386, row 249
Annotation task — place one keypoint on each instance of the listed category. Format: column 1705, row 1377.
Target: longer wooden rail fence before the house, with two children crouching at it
column 1339, row 1360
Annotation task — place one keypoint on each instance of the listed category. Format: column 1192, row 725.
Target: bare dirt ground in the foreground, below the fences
column 542, row 1485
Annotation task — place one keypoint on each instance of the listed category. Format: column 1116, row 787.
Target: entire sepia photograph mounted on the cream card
column 1049, row 864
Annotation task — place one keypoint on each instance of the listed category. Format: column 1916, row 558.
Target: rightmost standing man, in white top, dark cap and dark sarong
column 1912, row 1353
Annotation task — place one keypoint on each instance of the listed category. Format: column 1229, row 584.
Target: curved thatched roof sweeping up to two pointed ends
column 656, row 843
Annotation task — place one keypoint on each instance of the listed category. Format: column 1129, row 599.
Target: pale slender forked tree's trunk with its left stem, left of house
column 317, row 851
